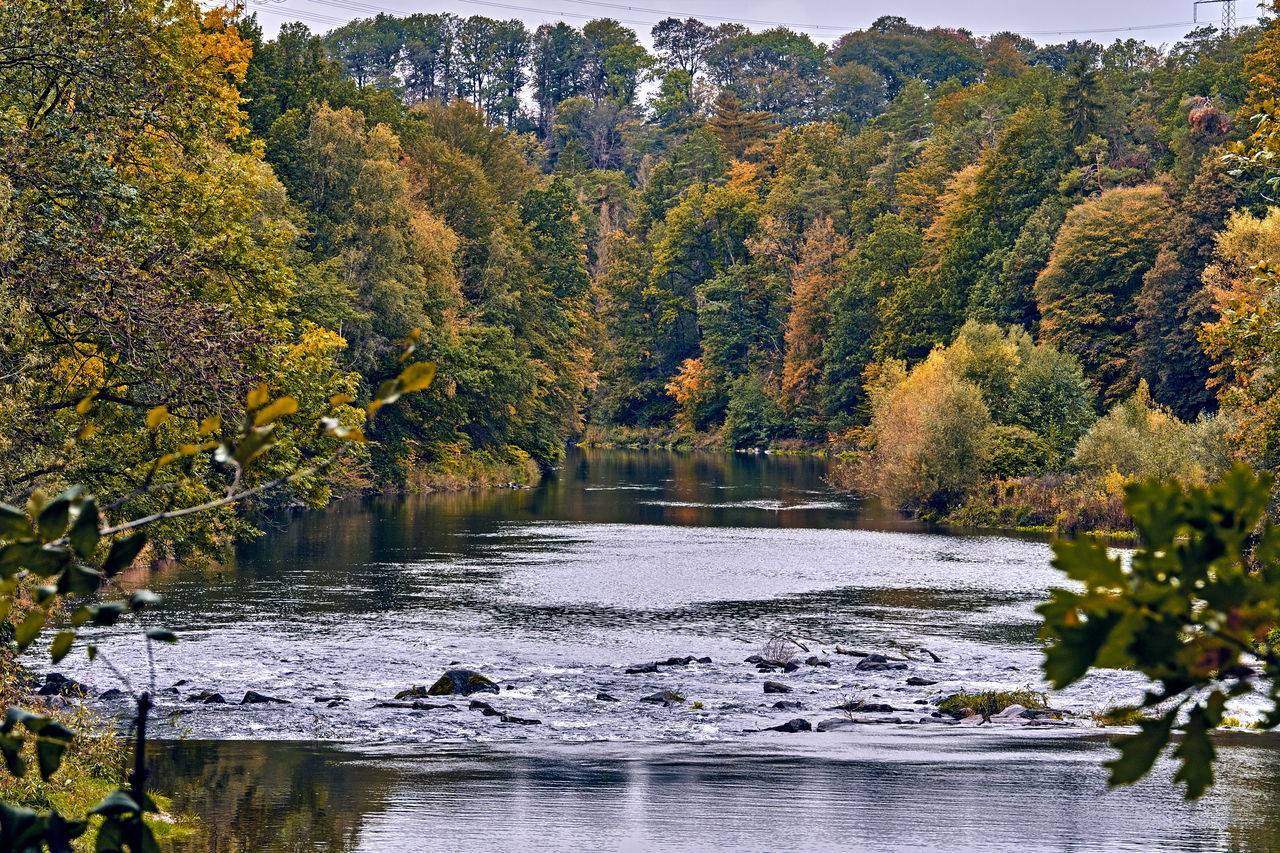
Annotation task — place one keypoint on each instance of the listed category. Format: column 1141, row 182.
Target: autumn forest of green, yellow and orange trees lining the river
column 1000, row 279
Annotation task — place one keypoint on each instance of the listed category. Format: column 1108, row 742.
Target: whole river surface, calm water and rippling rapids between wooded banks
column 624, row 559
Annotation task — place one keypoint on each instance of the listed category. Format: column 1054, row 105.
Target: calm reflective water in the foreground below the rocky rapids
column 956, row 791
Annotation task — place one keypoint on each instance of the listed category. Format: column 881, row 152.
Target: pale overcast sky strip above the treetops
column 1154, row 21
